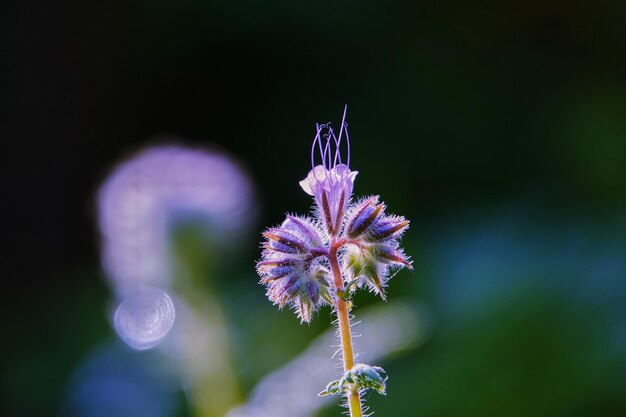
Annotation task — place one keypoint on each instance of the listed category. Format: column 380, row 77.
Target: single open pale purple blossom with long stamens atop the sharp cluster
column 331, row 182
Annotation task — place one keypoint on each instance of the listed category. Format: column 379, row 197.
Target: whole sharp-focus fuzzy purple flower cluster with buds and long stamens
column 295, row 266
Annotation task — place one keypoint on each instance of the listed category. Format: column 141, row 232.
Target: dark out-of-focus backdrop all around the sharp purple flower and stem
column 497, row 128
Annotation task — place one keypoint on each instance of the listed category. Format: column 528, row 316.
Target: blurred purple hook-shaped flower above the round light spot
column 144, row 195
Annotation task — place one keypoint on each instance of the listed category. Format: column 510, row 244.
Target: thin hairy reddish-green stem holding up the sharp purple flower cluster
column 354, row 400
